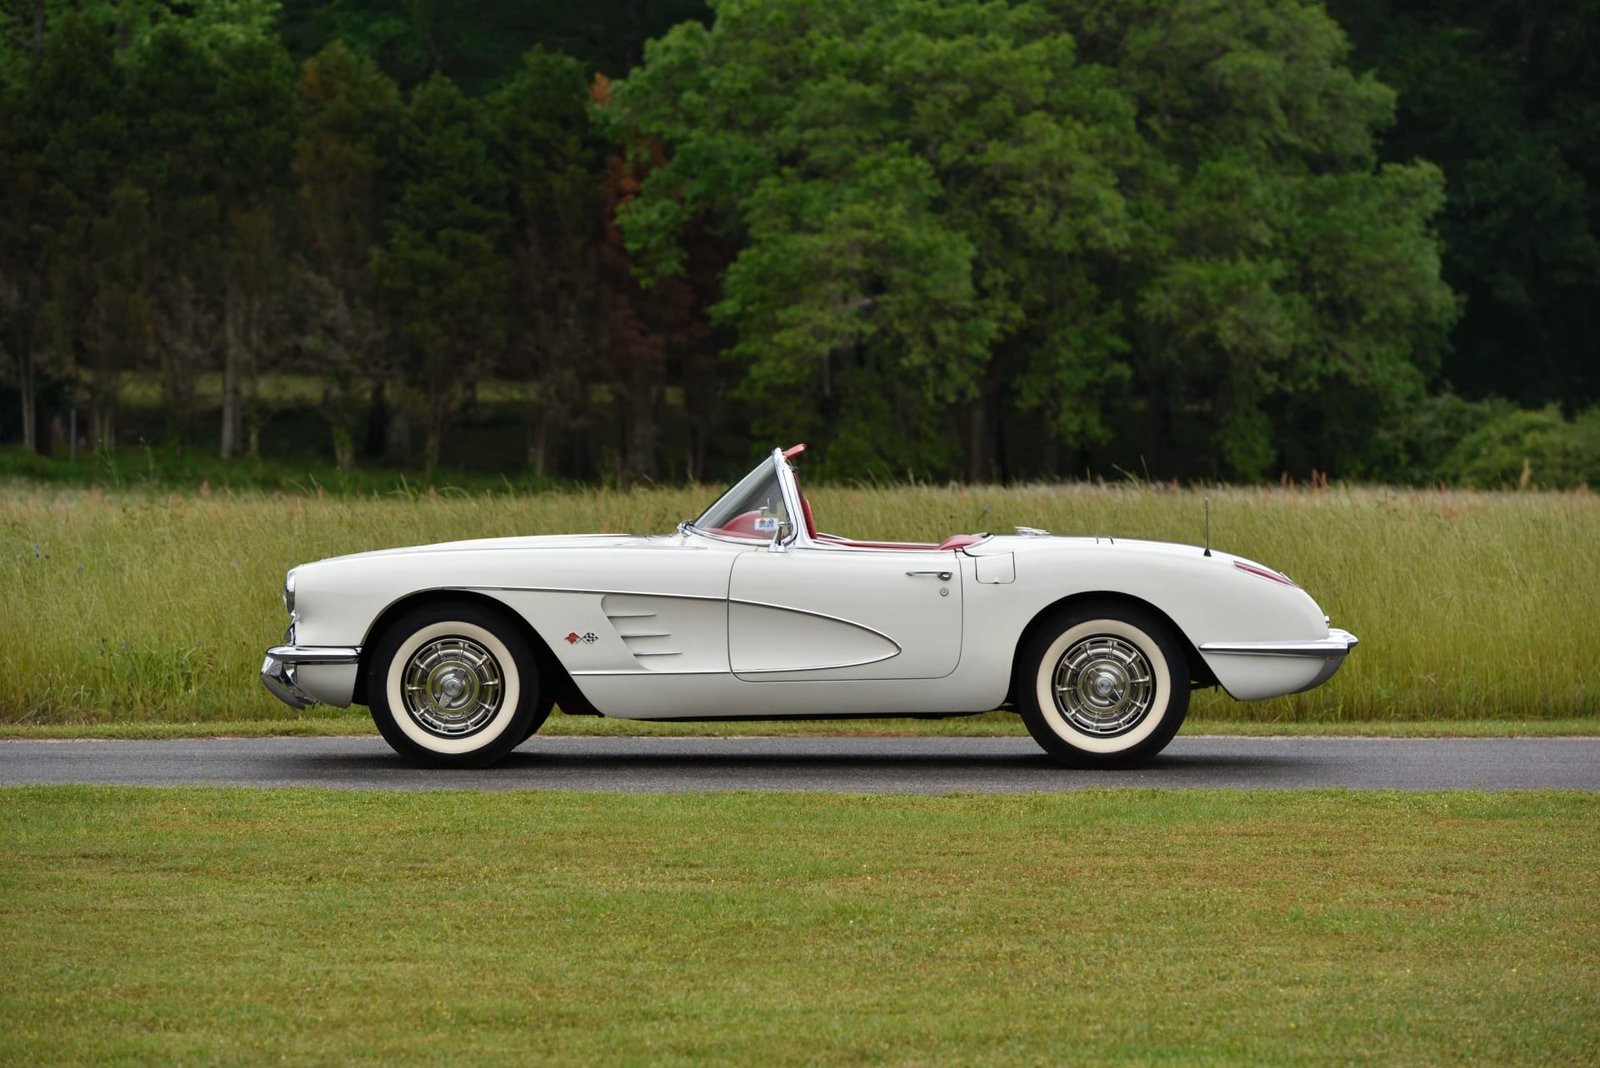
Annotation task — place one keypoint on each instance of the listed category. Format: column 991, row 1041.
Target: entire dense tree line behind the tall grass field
column 956, row 239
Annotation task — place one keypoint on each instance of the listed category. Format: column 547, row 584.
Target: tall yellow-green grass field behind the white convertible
column 154, row 608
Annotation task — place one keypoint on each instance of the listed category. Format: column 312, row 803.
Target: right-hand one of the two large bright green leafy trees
column 1287, row 284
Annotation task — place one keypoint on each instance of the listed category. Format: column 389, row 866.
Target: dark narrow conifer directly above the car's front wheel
column 442, row 265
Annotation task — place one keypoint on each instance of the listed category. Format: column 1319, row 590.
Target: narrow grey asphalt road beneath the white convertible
column 858, row 765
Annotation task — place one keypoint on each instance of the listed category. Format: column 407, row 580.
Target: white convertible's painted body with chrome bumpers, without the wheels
column 703, row 626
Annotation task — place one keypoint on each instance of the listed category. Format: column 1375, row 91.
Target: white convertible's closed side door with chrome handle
column 844, row 615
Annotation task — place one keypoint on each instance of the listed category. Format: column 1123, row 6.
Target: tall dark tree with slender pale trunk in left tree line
column 212, row 118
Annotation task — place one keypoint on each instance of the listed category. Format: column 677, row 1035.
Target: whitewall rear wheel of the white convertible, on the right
column 1103, row 685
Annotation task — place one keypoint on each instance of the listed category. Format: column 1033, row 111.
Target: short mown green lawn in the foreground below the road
column 250, row 927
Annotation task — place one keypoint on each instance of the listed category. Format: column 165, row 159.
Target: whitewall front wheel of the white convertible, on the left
column 455, row 687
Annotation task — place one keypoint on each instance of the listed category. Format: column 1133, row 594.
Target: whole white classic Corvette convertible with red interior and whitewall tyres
column 751, row 613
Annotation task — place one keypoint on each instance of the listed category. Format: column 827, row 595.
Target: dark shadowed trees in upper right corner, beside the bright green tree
column 1506, row 100
